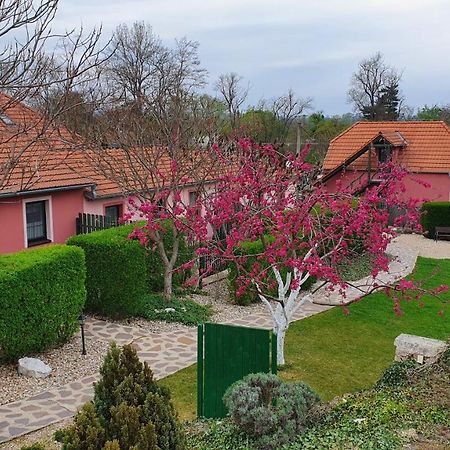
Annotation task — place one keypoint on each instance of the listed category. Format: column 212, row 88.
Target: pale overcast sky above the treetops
column 312, row 46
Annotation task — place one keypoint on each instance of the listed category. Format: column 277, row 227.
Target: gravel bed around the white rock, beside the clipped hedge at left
column 67, row 363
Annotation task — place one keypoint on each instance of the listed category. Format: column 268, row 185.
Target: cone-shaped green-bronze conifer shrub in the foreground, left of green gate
column 129, row 410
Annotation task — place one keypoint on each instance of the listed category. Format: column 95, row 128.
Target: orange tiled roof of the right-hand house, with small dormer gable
column 423, row 146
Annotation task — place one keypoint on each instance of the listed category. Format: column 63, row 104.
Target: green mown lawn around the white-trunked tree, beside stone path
column 336, row 353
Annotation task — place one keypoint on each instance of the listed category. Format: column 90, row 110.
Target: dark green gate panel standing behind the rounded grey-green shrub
column 225, row 354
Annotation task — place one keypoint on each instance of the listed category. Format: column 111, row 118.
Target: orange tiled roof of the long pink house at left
column 50, row 157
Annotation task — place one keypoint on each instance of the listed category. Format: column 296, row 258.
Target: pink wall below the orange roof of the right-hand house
column 439, row 190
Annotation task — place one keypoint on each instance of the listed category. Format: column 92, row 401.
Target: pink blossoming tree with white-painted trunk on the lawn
column 305, row 231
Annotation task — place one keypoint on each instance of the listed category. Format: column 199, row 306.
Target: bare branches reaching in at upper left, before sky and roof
column 27, row 73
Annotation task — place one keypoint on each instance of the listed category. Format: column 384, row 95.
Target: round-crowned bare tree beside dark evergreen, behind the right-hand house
column 370, row 87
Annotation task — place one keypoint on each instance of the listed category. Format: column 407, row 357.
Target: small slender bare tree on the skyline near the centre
column 233, row 93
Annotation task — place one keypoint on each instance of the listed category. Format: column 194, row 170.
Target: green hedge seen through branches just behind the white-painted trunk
column 250, row 296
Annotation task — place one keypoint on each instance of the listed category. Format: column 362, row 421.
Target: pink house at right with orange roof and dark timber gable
column 423, row 148
